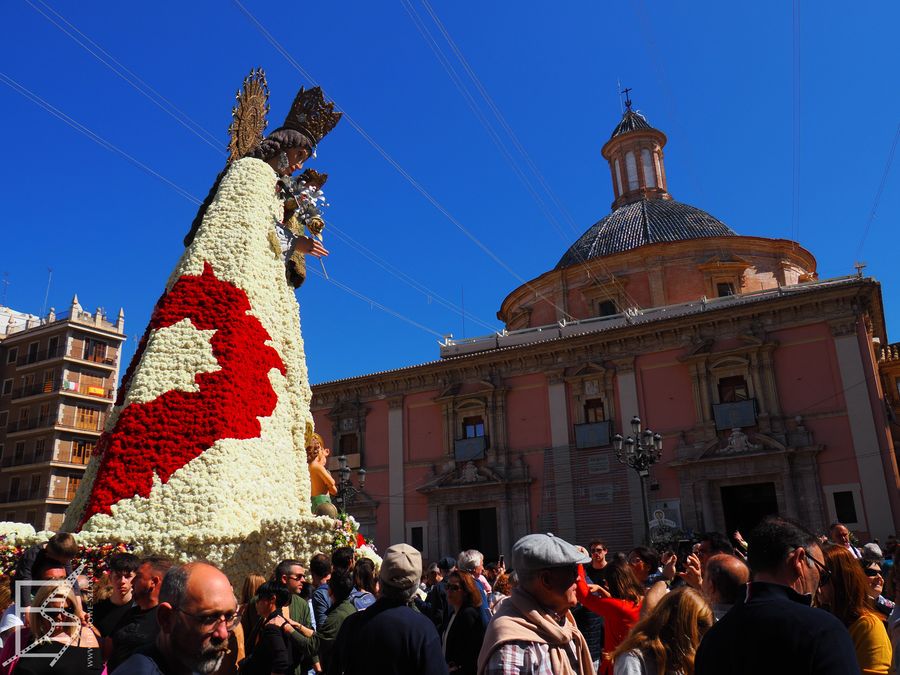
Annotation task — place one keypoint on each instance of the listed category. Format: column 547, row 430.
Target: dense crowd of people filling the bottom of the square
column 784, row 600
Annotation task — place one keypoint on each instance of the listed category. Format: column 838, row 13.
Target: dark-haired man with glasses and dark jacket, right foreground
column 774, row 629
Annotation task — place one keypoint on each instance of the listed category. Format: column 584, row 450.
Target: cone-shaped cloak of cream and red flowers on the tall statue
column 203, row 455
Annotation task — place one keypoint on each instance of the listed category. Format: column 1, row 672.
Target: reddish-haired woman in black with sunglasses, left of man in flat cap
column 464, row 633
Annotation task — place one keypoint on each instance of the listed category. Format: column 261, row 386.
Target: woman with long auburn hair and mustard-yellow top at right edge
column 844, row 591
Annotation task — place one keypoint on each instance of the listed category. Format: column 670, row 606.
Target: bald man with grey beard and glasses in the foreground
column 197, row 612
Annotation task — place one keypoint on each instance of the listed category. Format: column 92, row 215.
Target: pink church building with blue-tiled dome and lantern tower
column 774, row 391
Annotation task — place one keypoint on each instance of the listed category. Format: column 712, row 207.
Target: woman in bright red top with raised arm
column 620, row 606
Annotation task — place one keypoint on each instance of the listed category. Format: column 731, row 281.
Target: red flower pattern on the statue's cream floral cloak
column 161, row 436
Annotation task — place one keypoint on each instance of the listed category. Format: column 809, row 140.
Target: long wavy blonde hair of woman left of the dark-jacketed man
column 671, row 632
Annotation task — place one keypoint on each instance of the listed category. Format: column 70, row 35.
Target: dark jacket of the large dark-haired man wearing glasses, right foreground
column 773, row 630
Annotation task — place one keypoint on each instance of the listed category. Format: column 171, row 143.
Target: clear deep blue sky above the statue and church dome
column 717, row 78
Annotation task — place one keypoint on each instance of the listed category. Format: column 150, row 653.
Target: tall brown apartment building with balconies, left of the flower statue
column 58, row 377
